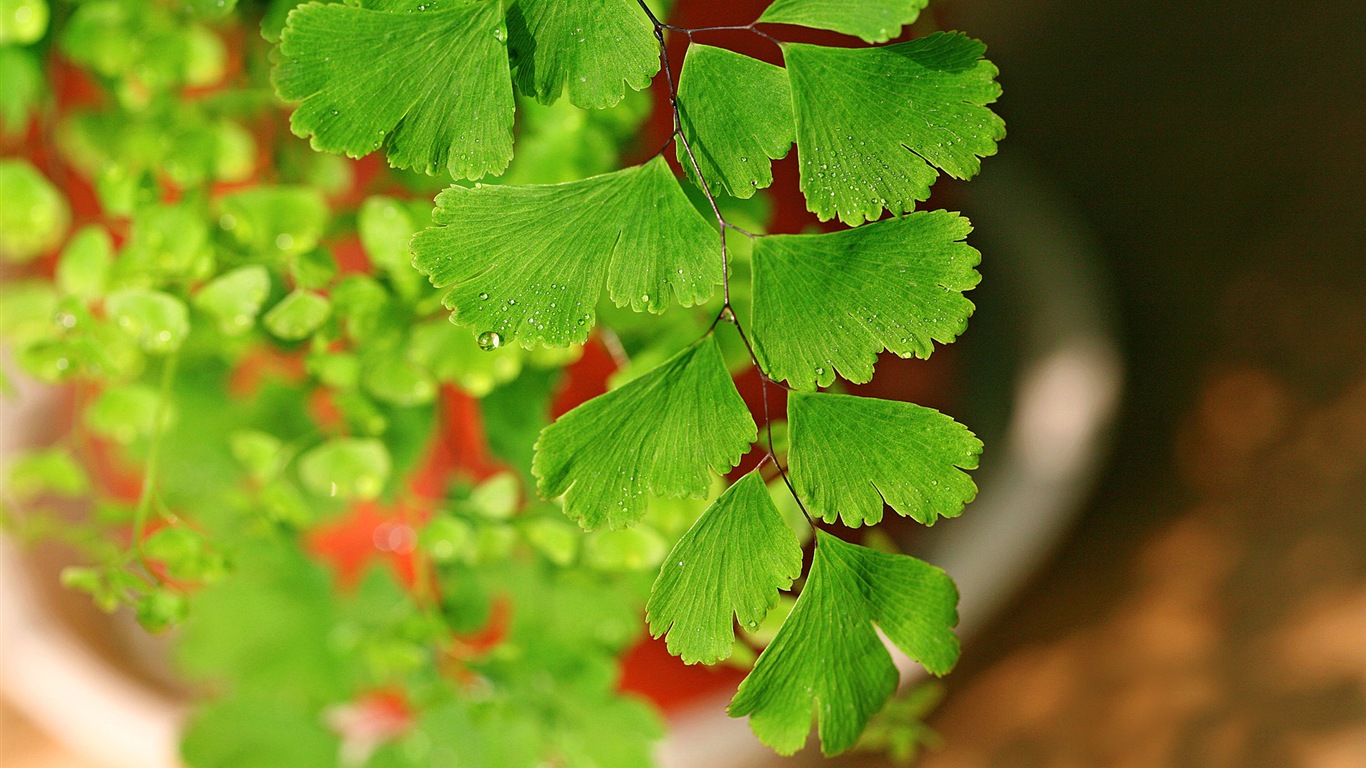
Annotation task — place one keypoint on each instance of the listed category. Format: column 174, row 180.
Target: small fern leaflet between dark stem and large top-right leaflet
column 737, row 115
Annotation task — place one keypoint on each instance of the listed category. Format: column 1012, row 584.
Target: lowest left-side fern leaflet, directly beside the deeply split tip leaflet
column 730, row 566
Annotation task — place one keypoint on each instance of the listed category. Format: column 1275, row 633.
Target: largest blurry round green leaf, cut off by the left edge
column 35, row 215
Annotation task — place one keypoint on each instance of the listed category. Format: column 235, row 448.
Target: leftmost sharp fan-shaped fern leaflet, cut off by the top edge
column 431, row 87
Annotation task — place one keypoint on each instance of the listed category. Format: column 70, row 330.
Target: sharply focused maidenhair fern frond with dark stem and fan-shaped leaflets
column 874, row 128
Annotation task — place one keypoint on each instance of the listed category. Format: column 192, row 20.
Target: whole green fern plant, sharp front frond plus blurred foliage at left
column 501, row 651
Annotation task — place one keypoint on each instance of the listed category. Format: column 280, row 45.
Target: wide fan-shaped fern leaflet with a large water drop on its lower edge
column 529, row 263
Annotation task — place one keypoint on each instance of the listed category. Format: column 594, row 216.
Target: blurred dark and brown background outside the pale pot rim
column 1210, row 607
